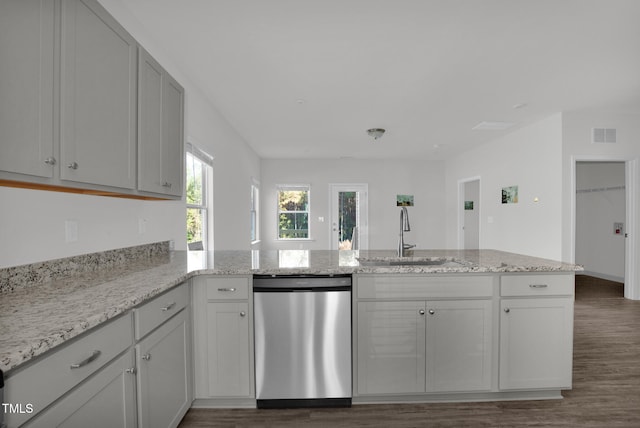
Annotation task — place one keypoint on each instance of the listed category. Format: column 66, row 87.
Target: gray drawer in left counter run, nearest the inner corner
column 152, row 314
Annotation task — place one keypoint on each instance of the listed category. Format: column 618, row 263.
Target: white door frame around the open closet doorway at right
column 632, row 246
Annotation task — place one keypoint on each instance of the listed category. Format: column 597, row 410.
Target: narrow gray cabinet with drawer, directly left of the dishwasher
column 223, row 340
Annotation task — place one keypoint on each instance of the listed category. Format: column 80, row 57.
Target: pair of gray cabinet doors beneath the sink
column 424, row 346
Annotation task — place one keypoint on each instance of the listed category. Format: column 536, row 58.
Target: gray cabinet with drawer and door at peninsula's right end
column 536, row 331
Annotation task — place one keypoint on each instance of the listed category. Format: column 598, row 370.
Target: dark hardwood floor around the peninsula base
column 606, row 384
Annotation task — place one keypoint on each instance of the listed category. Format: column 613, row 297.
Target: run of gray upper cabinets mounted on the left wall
column 83, row 106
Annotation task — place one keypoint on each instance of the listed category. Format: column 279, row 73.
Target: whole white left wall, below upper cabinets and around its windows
column 32, row 222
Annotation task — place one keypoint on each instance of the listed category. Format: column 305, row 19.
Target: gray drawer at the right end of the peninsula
column 537, row 285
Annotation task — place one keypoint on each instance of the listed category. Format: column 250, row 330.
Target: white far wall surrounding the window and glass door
column 386, row 179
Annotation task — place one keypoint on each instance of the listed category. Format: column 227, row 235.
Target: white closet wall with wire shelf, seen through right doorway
column 600, row 201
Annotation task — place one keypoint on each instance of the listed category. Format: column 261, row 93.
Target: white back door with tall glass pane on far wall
column 349, row 216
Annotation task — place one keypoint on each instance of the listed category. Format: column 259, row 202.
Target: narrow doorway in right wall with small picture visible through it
column 469, row 214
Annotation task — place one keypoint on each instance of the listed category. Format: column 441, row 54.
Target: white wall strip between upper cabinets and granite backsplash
column 32, row 224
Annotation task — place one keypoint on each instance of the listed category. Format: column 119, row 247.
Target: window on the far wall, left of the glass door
column 293, row 212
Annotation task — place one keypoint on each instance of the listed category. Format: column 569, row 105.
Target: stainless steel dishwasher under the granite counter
column 302, row 340
